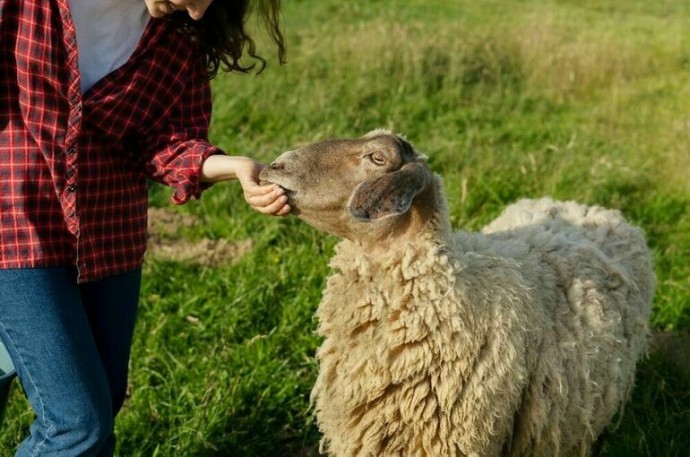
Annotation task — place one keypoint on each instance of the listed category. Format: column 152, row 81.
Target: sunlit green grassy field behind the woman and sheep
column 585, row 100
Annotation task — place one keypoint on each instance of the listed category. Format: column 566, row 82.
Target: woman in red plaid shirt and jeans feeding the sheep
column 96, row 97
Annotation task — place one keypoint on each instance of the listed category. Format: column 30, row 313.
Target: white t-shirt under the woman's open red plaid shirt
column 108, row 32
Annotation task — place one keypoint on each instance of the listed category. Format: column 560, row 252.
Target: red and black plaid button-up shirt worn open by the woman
column 73, row 168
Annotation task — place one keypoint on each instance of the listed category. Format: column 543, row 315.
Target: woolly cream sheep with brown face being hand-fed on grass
column 521, row 340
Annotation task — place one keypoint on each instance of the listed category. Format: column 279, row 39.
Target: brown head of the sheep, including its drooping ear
column 340, row 185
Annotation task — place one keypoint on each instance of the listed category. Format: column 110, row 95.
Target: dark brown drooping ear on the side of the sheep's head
column 388, row 195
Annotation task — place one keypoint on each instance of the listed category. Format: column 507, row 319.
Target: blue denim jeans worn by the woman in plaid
column 70, row 345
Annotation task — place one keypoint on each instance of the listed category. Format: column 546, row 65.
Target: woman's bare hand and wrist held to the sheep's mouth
column 268, row 199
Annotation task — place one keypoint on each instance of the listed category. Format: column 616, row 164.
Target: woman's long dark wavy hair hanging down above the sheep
column 222, row 35
